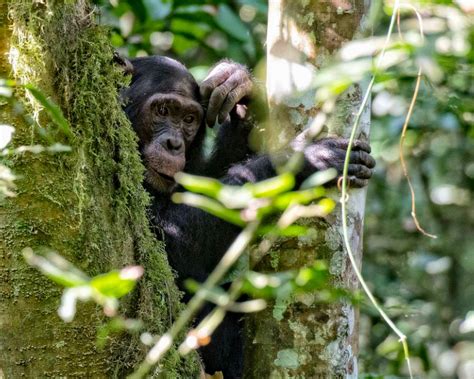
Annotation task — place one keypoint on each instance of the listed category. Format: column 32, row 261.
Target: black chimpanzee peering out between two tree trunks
column 169, row 112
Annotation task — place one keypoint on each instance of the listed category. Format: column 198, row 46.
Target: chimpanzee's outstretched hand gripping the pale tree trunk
column 330, row 153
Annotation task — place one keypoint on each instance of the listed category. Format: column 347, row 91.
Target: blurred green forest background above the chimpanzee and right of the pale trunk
column 426, row 285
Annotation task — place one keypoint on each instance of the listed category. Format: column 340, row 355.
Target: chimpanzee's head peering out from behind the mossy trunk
column 162, row 103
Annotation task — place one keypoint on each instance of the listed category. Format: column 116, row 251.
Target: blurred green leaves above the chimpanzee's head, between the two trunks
column 203, row 31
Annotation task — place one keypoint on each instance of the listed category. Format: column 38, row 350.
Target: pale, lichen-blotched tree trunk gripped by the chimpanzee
column 296, row 337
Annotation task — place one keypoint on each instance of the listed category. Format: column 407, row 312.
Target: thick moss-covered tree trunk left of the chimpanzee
column 88, row 205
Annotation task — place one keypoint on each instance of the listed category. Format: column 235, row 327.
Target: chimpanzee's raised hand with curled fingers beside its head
column 225, row 86
